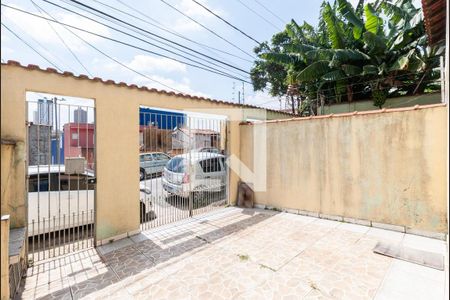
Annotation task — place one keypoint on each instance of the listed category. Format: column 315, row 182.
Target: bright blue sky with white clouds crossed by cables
column 247, row 15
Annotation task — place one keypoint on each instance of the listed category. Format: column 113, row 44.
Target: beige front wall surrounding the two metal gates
column 117, row 138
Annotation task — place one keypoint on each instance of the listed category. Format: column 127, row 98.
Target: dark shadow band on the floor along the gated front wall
column 143, row 254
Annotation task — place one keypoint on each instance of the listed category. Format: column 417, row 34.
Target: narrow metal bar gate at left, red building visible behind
column 60, row 176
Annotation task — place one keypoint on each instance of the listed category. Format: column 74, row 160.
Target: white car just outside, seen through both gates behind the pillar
column 64, row 201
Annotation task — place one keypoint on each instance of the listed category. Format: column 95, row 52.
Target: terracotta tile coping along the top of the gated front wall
column 134, row 86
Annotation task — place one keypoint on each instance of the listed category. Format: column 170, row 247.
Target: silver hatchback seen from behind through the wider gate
column 196, row 173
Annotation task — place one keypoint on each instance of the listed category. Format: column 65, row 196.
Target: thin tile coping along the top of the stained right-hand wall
column 351, row 114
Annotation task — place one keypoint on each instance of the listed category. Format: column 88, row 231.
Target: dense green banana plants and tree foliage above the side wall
column 375, row 49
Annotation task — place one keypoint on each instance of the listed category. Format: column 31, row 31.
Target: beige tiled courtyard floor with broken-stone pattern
column 243, row 254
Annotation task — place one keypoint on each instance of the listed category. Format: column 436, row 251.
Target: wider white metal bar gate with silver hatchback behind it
column 183, row 169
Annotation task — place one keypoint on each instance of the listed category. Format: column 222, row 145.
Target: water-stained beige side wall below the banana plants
column 384, row 166
